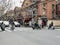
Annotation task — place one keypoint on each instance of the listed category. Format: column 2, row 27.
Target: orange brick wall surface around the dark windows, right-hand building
column 48, row 9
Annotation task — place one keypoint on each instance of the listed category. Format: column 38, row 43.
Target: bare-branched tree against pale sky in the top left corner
column 5, row 5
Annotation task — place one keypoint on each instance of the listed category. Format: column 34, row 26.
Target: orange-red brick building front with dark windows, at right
column 47, row 9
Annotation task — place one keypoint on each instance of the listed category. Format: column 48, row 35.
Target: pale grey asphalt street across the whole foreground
column 28, row 36
